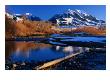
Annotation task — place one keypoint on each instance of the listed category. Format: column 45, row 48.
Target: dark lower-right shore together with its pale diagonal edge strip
column 76, row 61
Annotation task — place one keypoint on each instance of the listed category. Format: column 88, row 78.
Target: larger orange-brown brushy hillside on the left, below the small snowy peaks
column 26, row 28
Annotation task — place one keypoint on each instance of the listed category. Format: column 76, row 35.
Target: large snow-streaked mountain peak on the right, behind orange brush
column 76, row 18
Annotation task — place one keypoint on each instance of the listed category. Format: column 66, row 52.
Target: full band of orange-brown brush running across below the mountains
column 30, row 28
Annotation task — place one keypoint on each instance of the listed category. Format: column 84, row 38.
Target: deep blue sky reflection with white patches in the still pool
column 43, row 54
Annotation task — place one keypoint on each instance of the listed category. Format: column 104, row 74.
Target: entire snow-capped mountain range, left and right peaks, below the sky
column 74, row 18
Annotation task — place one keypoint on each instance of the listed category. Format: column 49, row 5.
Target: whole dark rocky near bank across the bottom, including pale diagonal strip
column 90, row 60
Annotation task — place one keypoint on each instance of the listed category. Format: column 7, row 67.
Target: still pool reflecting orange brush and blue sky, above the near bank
column 31, row 51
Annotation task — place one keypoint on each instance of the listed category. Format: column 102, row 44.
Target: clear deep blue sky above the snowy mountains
column 47, row 11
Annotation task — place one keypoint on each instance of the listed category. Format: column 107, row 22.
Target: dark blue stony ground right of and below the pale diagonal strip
column 85, row 61
